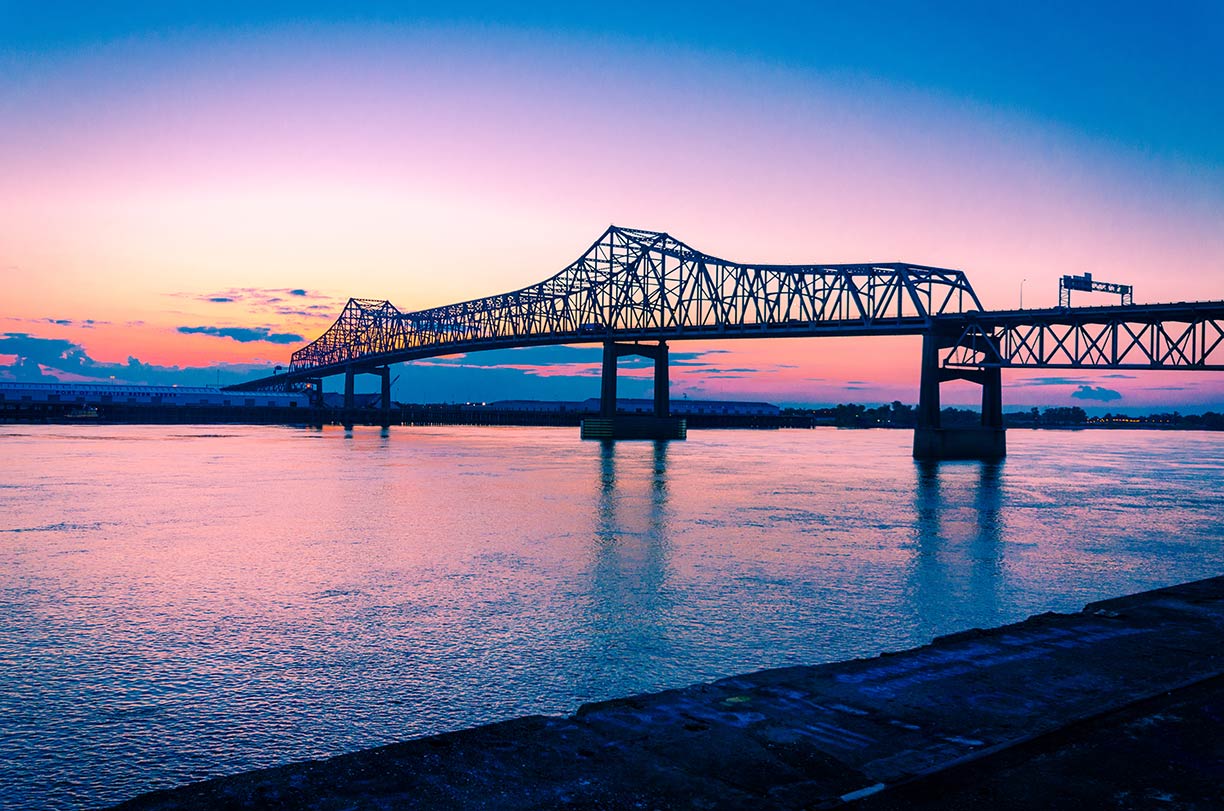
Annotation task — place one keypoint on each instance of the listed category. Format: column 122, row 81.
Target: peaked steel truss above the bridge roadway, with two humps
column 635, row 284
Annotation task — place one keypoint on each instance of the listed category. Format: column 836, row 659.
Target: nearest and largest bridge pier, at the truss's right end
column 932, row 441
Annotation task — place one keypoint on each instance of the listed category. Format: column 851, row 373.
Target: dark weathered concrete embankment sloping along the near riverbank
column 1042, row 714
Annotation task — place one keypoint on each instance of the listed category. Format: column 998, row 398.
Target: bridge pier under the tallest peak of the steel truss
column 613, row 426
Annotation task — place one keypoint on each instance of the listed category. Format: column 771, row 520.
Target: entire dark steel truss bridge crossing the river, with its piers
column 633, row 292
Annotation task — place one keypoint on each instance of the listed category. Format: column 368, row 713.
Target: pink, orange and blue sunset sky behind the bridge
column 192, row 191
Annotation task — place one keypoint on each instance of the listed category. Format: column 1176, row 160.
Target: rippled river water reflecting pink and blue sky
column 184, row 602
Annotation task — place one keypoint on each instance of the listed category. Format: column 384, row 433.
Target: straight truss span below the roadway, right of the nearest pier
column 1138, row 337
